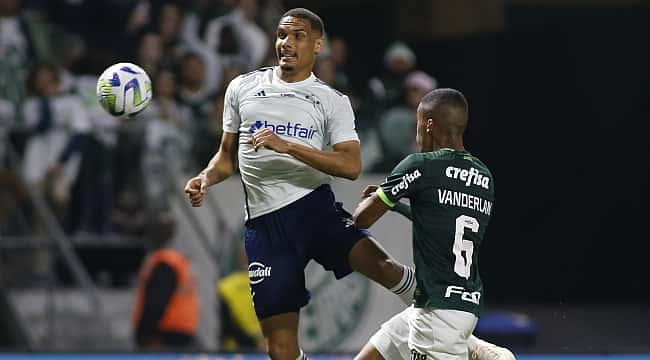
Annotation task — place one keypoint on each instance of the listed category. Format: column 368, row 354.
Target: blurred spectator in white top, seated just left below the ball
column 58, row 126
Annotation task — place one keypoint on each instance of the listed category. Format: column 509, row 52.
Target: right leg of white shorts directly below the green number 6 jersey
column 440, row 334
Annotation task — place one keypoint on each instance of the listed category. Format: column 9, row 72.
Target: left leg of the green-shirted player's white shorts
column 391, row 341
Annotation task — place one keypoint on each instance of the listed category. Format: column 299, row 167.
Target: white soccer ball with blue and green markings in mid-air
column 124, row 90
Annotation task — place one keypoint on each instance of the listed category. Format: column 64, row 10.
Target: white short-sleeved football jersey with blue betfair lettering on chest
column 307, row 112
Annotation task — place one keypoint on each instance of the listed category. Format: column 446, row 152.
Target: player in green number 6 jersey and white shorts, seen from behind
column 451, row 195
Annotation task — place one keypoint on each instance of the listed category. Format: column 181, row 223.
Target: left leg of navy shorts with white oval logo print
column 275, row 268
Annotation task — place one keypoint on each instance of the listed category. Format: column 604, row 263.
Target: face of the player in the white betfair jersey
column 296, row 44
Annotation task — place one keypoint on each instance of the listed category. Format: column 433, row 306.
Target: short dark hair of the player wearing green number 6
column 448, row 106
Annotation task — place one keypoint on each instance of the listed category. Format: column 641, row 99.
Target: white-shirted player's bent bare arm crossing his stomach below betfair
column 343, row 161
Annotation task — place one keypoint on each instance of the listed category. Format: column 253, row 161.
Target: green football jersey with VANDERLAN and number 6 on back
column 452, row 198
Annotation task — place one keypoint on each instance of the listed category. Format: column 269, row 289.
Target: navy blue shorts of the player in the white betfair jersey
column 280, row 244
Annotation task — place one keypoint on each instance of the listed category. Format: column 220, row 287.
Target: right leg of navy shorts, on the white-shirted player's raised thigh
column 334, row 238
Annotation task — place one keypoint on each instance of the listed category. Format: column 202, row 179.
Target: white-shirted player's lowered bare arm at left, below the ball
column 221, row 166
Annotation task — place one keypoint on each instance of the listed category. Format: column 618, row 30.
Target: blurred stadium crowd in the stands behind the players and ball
column 103, row 175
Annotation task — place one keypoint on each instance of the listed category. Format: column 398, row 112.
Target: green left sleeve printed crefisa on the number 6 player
column 403, row 181
